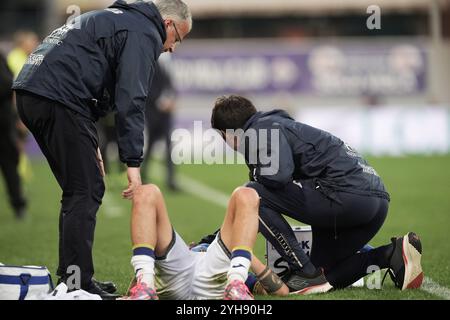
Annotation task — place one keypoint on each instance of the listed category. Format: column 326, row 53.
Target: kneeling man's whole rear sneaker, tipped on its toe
column 405, row 266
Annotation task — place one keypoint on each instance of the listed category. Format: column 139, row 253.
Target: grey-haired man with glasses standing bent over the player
column 101, row 63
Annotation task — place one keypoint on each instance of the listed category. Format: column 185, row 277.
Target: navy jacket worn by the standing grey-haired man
column 103, row 62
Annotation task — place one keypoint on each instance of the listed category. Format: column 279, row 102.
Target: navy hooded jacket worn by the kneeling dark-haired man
column 305, row 153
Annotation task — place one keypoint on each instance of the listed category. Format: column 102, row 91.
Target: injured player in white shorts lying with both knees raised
column 166, row 268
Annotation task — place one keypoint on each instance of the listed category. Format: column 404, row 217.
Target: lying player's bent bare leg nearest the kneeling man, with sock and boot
column 238, row 233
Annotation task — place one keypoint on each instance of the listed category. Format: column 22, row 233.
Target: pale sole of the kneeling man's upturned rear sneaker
column 412, row 254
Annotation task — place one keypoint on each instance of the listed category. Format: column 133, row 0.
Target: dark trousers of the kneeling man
column 340, row 228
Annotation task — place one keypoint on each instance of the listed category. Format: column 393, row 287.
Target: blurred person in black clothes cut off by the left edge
column 9, row 151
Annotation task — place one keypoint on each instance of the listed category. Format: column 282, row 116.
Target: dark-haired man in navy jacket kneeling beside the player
column 314, row 177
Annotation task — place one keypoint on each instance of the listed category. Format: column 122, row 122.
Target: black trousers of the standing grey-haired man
column 69, row 142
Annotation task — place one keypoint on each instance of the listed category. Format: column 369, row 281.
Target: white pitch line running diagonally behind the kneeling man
column 217, row 197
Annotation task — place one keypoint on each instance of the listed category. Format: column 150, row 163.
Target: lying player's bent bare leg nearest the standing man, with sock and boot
column 151, row 234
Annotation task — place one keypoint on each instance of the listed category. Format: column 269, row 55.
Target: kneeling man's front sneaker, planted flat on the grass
column 300, row 283
